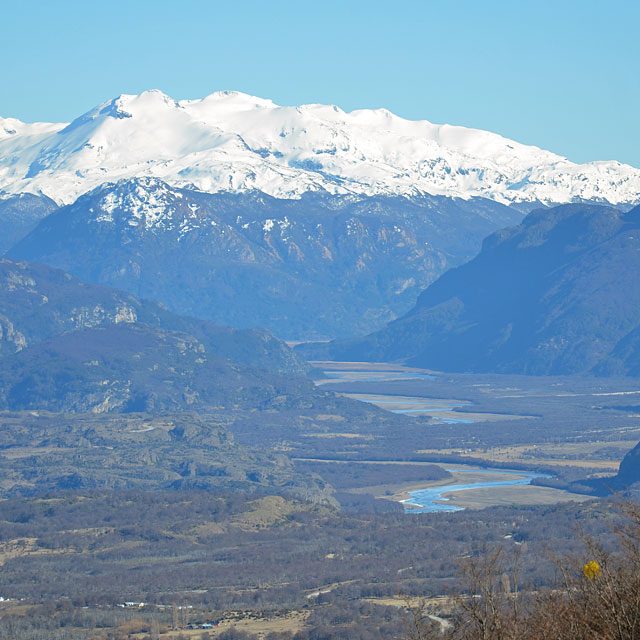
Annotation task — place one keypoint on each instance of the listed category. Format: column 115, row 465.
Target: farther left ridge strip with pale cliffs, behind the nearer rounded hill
column 38, row 302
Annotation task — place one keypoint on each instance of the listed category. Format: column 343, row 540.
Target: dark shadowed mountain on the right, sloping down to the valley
column 557, row 294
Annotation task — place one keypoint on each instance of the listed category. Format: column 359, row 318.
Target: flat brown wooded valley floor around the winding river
column 279, row 564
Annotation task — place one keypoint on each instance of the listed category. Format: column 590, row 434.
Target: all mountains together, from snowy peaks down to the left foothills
column 135, row 232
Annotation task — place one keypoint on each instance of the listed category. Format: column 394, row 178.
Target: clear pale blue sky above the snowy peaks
column 564, row 75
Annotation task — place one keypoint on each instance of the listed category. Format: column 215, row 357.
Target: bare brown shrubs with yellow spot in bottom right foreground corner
column 597, row 596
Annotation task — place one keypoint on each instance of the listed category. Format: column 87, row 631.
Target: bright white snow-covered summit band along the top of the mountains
column 234, row 142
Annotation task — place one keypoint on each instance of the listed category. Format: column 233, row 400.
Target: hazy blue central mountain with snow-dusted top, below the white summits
column 320, row 266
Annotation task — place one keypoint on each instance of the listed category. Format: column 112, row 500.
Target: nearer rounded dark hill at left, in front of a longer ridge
column 134, row 367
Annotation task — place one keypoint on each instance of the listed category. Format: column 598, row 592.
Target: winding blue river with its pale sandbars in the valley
column 471, row 486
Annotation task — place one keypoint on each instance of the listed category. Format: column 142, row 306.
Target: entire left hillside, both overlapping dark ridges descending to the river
column 70, row 346
